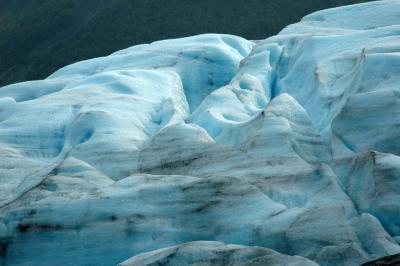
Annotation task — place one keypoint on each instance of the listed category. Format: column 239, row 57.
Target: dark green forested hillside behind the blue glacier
column 39, row 36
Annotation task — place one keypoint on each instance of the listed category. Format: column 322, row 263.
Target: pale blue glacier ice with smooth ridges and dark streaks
column 211, row 150
